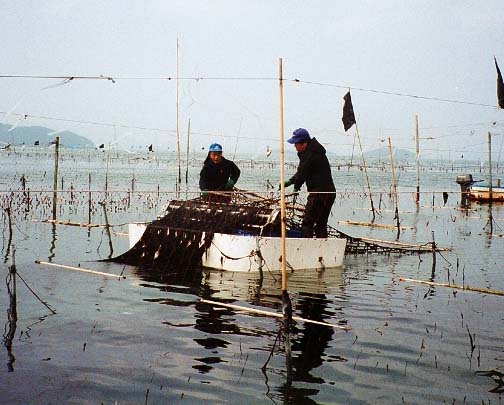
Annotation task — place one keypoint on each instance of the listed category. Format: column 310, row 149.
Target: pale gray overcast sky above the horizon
column 433, row 49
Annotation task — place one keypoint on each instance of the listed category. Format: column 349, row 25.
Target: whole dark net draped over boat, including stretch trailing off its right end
column 181, row 236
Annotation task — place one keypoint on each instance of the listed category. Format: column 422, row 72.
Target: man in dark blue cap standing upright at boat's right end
column 314, row 170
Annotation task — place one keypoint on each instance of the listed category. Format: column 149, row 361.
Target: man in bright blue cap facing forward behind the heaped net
column 218, row 173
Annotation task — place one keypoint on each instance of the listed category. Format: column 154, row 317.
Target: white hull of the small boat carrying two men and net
column 253, row 253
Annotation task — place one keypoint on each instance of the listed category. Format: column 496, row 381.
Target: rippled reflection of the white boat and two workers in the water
column 305, row 344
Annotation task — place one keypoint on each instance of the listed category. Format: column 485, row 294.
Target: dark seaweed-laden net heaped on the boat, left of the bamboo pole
column 182, row 235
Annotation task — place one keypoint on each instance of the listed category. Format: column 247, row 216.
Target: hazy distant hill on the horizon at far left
column 44, row 136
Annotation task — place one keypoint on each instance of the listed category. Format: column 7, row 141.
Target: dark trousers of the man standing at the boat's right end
column 317, row 210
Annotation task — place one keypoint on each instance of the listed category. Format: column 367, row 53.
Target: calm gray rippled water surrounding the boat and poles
column 147, row 338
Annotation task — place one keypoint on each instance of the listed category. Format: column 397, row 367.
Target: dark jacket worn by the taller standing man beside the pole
column 314, row 169
